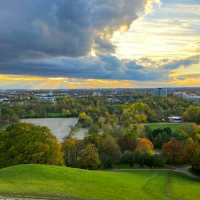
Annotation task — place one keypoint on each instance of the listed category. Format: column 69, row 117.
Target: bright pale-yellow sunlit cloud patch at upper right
column 159, row 39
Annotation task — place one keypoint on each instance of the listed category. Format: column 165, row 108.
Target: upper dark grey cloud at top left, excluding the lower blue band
column 41, row 28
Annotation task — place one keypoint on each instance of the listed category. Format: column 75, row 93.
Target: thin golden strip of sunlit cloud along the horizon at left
column 34, row 82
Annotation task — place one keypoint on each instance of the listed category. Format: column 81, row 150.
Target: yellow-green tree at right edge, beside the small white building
column 192, row 114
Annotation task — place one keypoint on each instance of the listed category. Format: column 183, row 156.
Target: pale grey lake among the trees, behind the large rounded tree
column 60, row 127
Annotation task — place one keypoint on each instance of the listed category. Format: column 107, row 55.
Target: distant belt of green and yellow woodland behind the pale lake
column 153, row 108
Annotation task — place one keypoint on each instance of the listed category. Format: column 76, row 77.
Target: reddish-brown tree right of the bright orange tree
column 173, row 151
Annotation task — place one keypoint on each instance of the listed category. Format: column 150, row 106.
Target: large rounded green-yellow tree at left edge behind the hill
column 25, row 144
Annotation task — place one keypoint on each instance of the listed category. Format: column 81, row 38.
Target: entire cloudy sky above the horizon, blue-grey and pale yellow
column 68, row 44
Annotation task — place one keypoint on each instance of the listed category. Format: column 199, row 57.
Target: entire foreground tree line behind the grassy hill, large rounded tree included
column 23, row 143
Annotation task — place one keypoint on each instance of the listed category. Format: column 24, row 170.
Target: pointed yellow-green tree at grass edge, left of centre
column 89, row 157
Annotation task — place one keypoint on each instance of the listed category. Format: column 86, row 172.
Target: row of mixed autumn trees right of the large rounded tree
column 152, row 148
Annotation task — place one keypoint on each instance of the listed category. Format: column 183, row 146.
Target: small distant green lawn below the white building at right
column 173, row 126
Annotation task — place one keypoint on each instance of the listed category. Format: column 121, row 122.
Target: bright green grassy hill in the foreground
column 76, row 184
